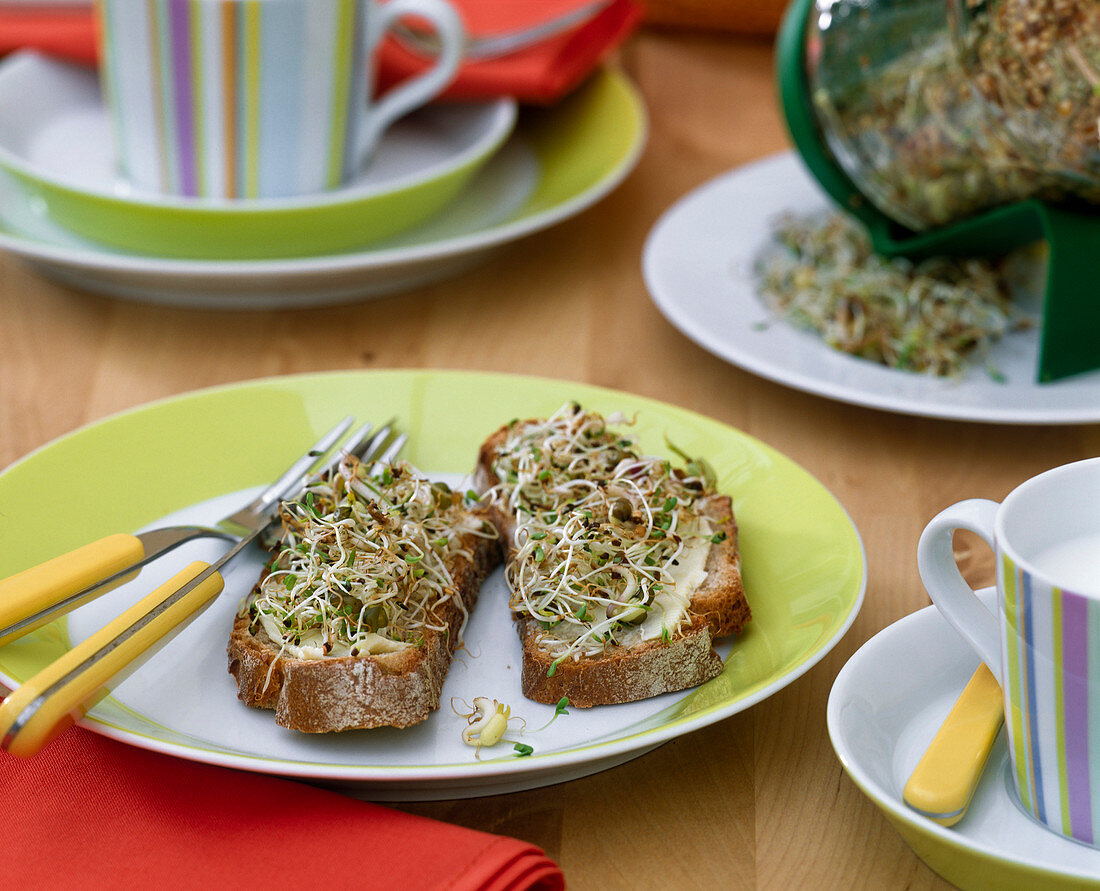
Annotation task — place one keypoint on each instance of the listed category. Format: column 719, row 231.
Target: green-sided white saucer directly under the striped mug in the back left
column 56, row 140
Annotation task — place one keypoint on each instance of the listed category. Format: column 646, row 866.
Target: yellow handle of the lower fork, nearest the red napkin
column 61, row 695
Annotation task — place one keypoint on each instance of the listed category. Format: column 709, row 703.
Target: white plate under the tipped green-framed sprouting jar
column 700, row 263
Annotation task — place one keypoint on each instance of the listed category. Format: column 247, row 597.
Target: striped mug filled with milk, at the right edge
column 1044, row 643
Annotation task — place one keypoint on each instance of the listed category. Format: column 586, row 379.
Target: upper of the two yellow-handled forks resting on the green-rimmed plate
column 50, row 590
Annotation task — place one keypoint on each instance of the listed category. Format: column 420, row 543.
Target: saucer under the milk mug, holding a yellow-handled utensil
column 885, row 708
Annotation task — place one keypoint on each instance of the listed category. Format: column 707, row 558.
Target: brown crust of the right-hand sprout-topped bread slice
column 719, row 609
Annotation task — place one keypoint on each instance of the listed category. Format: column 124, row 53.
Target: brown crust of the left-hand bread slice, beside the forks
column 358, row 692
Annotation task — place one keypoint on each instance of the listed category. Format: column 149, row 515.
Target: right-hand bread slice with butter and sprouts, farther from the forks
column 622, row 569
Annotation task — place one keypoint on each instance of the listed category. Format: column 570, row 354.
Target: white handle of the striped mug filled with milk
column 953, row 597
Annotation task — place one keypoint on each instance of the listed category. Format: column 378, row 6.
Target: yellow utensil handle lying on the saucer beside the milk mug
column 945, row 778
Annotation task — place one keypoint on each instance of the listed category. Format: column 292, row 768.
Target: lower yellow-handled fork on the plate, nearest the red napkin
column 62, row 692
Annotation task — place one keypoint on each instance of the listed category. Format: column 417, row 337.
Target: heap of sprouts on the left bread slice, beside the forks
column 362, row 564
